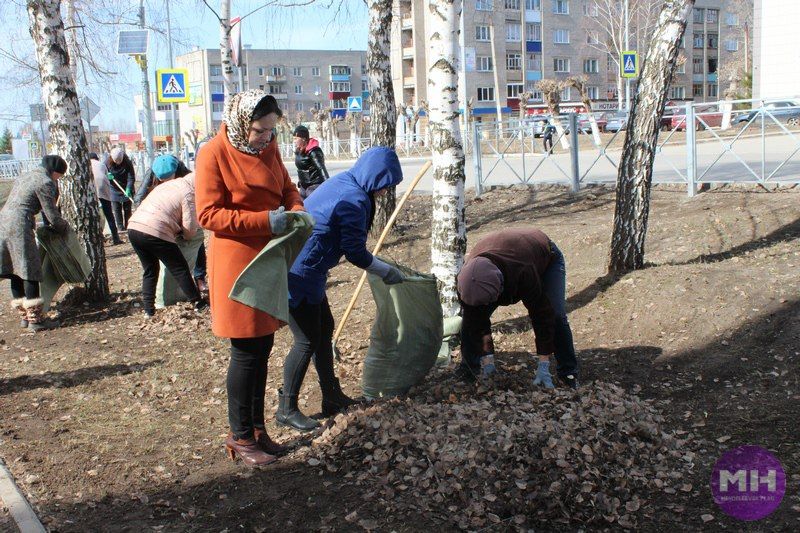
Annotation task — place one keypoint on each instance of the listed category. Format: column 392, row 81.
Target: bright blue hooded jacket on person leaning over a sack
column 342, row 209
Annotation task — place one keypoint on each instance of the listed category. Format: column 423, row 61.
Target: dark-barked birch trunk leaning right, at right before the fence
column 636, row 164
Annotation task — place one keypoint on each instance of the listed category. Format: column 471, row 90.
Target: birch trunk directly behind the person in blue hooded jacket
column 383, row 113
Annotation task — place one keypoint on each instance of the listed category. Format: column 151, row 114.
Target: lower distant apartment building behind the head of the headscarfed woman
column 301, row 80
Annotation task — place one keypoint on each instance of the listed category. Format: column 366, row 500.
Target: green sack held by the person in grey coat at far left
column 63, row 261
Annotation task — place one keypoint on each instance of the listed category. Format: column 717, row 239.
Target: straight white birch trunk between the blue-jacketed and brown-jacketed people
column 448, row 234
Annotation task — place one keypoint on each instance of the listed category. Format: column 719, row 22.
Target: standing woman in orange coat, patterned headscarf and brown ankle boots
column 242, row 191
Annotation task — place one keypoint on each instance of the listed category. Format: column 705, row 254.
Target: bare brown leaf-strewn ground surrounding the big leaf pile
column 115, row 424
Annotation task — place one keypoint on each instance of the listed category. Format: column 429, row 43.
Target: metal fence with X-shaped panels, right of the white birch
column 740, row 141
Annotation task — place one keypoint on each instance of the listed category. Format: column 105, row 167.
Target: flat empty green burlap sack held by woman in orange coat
column 264, row 283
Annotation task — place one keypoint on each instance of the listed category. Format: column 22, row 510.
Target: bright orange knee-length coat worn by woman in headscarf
column 234, row 192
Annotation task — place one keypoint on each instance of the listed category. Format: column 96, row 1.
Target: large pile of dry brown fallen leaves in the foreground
column 478, row 457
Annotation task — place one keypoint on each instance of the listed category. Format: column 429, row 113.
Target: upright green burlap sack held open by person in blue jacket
column 406, row 336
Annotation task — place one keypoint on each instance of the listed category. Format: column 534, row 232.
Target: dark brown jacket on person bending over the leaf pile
column 522, row 255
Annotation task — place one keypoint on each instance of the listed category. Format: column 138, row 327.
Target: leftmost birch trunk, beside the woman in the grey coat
column 78, row 196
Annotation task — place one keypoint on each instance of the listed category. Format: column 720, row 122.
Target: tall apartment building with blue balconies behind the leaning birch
column 528, row 40
